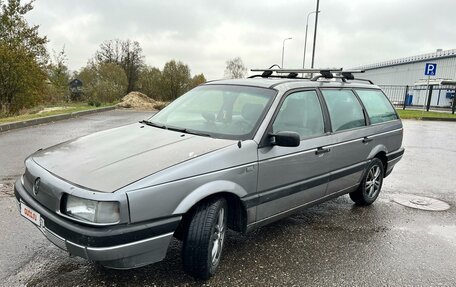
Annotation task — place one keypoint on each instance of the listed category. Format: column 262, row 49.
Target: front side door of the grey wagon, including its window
column 293, row 176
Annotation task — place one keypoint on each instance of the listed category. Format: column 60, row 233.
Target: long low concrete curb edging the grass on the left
column 49, row 119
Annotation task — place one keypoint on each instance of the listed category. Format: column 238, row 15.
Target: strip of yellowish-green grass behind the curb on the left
column 50, row 111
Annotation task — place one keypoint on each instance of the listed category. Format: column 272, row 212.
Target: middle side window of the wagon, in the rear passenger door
column 344, row 109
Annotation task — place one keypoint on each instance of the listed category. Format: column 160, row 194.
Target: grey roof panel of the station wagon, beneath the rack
column 292, row 83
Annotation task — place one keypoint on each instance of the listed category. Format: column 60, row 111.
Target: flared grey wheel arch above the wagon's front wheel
column 206, row 190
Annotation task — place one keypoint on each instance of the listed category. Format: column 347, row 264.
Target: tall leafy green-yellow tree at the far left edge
column 22, row 59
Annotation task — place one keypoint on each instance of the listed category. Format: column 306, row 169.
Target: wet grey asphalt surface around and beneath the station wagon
column 332, row 244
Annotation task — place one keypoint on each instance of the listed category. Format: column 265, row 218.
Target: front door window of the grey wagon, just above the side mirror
column 301, row 113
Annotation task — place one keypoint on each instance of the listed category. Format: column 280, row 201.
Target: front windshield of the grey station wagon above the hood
column 219, row 111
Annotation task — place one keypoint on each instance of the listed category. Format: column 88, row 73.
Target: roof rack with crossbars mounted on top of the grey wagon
column 327, row 73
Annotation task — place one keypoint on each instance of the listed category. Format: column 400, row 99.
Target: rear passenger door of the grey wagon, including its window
column 349, row 146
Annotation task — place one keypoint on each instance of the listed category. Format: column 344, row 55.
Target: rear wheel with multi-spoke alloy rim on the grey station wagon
column 371, row 185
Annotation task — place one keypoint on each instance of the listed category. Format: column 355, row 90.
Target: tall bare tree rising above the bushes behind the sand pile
column 125, row 53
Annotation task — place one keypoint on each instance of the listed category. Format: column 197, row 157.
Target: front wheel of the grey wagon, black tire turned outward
column 203, row 242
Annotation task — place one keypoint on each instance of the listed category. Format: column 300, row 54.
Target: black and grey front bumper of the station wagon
column 120, row 247
